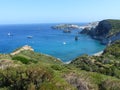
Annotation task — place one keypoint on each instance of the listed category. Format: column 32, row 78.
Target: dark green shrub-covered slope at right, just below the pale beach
column 108, row 63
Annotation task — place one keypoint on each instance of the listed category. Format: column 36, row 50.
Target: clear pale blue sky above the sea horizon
column 56, row 11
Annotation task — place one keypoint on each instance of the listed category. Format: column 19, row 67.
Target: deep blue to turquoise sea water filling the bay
column 47, row 41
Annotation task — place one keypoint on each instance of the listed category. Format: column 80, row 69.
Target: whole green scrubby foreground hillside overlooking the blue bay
column 28, row 70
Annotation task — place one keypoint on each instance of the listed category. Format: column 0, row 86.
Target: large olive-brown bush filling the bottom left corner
column 24, row 78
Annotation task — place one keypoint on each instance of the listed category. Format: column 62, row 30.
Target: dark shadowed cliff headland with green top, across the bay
column 107, row 31
